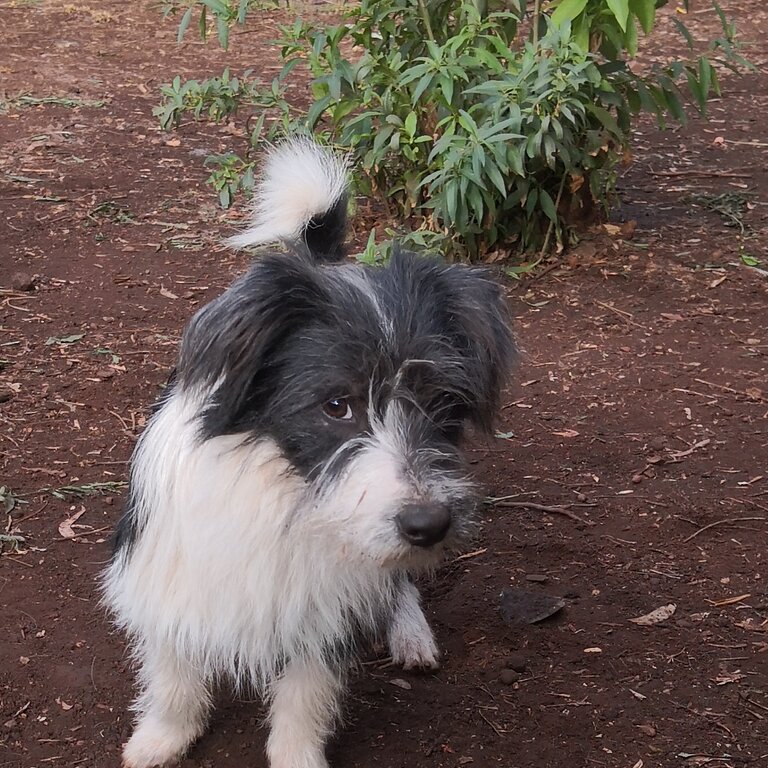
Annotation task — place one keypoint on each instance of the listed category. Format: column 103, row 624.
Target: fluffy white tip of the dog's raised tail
column 300, row 180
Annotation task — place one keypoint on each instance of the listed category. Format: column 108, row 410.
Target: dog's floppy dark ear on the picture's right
column 482, row 321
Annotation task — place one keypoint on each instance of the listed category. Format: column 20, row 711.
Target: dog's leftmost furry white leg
column 172, row 709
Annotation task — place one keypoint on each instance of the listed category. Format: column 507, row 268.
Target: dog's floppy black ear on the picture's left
column 229, row 345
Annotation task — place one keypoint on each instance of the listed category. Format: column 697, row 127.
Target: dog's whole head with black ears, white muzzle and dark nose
column 366, row 379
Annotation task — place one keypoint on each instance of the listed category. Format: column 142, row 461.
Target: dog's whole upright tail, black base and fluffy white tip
column 300, row 199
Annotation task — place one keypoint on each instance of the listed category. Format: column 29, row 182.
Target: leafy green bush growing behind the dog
column 485, row 126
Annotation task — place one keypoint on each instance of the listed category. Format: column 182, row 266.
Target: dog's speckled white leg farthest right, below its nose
column 411, row 642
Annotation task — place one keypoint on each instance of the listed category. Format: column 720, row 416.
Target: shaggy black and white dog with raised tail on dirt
column 302, row 464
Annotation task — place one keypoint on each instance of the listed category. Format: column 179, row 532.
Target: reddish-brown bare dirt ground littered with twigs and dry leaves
column 640, row 409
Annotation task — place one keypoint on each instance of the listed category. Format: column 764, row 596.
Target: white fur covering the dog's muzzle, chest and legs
column 239, row 566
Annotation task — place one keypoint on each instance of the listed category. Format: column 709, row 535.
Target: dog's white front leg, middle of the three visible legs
column 304, row 706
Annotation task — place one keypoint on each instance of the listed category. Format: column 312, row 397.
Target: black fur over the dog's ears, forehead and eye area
column 291, row 335
